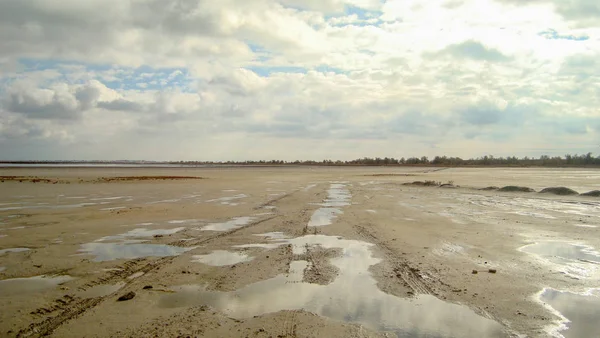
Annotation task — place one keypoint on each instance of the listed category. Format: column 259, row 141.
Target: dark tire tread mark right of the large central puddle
column 401, row 267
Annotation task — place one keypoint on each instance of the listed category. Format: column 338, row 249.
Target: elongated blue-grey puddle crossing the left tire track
column 112, row 251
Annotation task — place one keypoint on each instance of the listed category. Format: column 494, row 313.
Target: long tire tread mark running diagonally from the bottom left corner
column 79, row 306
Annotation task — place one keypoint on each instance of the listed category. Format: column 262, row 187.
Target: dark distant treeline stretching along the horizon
column 543, row 161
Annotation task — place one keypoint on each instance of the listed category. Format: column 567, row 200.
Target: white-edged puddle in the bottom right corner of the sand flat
column 582, row 312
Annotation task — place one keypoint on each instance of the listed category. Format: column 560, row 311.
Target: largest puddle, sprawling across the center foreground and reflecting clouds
column 352, row 297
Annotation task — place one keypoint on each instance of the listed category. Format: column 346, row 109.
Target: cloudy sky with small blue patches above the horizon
column 297, row 79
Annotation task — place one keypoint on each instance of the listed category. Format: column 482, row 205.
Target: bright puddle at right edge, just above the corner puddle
column 578, row 261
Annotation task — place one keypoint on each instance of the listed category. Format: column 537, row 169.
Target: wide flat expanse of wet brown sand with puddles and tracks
column 297, row 252
